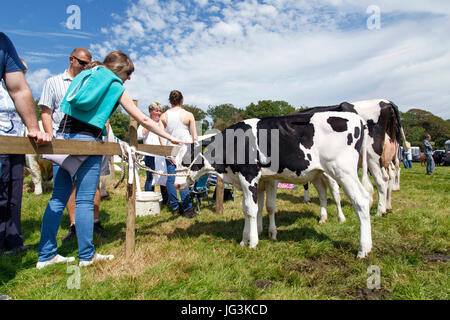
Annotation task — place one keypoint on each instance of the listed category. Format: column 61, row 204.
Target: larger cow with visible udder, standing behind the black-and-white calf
column 385, row 134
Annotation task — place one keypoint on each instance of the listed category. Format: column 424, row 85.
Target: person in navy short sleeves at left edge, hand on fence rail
column 17, row 95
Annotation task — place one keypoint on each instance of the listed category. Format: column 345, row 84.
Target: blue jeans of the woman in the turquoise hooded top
column 87, row 178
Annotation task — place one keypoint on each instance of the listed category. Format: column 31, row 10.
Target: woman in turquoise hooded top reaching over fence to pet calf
column 89, row 102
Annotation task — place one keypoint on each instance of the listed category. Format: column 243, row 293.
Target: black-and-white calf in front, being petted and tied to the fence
column 294, row 149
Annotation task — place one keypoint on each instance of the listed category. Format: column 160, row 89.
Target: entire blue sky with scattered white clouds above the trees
column 240, row 51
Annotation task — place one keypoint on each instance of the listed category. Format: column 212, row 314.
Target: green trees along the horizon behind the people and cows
column 416, row 122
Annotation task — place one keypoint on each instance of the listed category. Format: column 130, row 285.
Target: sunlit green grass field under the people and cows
column 177, row 258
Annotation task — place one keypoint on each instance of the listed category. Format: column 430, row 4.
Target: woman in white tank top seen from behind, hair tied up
column 181, row 124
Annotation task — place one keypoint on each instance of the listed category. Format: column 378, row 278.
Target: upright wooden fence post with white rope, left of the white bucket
column 131, row 196
